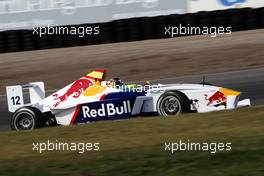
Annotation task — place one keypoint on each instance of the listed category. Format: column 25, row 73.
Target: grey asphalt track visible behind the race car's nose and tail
column 249, row 82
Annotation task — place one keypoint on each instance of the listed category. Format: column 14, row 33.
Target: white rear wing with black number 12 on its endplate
column 17, row 94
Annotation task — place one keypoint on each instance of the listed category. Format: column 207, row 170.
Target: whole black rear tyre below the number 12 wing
column 26, row 118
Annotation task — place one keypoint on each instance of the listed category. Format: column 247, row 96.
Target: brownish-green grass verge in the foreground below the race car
column 136, row 147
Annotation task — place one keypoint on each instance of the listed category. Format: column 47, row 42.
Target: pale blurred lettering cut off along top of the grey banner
column 67, row 7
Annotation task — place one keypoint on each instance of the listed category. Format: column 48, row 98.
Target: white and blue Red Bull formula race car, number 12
column 92, row 98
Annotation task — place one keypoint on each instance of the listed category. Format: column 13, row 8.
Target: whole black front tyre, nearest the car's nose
column 173, row 103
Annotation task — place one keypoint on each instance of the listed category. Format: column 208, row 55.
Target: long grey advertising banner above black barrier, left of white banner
column 25, row 14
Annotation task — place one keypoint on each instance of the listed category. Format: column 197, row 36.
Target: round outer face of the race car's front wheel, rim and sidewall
column 170, row 105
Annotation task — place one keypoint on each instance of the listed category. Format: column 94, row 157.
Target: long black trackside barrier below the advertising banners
column 133, row 29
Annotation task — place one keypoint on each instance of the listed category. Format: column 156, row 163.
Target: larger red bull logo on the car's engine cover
column 75, row 90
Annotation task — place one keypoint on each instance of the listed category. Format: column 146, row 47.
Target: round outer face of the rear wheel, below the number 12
column 24, row 121
